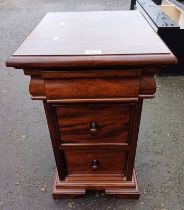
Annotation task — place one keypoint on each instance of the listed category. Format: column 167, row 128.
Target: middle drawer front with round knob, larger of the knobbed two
column 91, row 123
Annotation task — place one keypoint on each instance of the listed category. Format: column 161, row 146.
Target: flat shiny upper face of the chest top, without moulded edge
column 85, row 33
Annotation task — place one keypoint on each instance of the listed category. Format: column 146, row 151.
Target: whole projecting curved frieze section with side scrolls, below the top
column 116, row 85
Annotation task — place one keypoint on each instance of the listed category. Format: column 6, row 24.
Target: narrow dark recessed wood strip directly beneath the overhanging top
column 54, row 73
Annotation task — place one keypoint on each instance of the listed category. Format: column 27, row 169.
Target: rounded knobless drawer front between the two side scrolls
column 91, row 88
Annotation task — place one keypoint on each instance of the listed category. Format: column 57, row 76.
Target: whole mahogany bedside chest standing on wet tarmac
column 92, row 71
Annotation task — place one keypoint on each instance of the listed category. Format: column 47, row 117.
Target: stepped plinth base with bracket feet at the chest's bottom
column 72, row 189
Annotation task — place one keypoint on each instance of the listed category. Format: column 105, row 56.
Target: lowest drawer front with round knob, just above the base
column 96, row 162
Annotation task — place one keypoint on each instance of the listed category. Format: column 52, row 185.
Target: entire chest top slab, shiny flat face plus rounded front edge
column 103, row 38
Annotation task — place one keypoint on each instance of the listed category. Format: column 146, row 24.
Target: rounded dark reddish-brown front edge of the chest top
column 115, row 61
